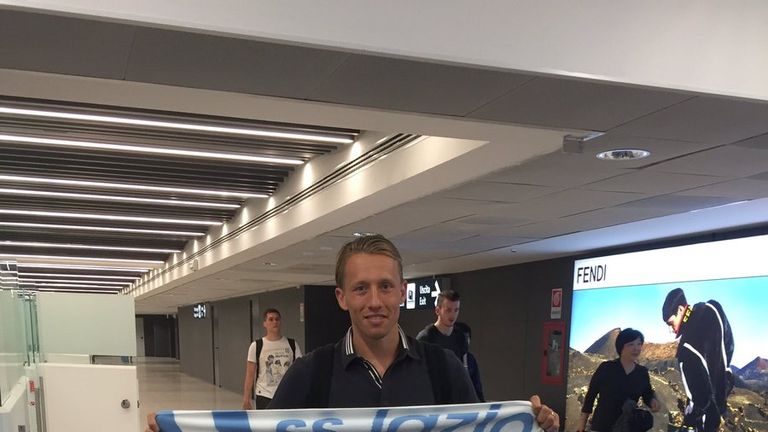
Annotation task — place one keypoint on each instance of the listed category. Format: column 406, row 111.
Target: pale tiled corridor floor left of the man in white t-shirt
column 162, row 386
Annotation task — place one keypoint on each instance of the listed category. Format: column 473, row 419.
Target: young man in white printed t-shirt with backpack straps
column 275, row 354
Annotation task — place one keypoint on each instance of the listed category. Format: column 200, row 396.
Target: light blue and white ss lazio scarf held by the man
column 513, row 416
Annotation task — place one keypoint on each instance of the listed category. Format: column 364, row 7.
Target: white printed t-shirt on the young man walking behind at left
column 275, row 358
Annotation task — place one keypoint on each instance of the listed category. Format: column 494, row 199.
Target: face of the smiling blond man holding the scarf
column 372, row 293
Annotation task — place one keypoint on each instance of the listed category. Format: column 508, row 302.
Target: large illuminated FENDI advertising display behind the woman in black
column 725, row 287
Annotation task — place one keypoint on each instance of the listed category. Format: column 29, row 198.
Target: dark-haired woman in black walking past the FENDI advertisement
column 616, row 381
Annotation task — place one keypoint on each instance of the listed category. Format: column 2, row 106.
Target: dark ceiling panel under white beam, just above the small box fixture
column 573, row 104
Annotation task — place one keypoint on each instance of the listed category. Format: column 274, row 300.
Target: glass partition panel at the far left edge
column 13, row 345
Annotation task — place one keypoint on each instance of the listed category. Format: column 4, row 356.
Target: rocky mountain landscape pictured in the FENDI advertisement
column 747, row 404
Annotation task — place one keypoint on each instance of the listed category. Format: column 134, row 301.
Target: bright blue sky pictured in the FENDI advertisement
column 597, row 311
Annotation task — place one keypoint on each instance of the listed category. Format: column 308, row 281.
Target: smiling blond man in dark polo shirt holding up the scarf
column 375, row 364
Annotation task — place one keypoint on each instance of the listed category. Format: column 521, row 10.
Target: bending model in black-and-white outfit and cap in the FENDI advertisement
column 704, row 355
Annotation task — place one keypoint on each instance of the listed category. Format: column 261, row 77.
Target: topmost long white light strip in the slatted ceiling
column 179, row 125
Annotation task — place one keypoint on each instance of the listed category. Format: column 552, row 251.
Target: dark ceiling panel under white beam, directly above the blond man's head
column 407, row 85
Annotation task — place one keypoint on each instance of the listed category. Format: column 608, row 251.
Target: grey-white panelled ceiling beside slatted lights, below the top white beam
column 501, row 193
